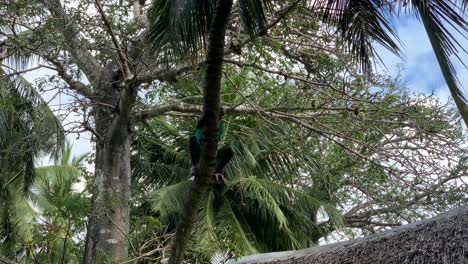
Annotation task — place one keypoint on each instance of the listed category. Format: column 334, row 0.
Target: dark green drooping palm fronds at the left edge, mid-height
column 27, row 127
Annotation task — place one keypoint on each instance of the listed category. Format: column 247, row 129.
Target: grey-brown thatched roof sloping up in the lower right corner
column 442, row 239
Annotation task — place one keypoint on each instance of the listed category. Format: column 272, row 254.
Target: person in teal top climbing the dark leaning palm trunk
column 223, row 156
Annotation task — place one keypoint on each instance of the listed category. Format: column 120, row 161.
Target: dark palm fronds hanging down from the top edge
column 181, row 27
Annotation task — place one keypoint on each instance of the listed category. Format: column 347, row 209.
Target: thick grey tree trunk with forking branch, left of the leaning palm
column 113, row 97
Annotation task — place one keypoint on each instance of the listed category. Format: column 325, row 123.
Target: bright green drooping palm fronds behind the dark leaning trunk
column 272, row 215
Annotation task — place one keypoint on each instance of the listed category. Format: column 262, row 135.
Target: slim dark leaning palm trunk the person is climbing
column 211, row 106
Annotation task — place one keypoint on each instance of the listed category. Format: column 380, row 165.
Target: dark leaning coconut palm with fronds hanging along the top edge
column 184, row 27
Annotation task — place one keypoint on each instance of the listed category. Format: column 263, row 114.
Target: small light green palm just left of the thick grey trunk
column 61, row 209
